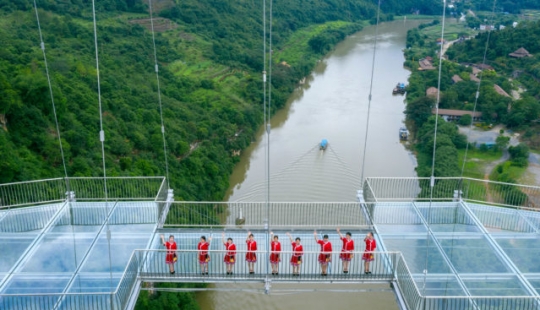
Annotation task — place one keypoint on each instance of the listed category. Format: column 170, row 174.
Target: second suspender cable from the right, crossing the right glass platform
column 432, row 179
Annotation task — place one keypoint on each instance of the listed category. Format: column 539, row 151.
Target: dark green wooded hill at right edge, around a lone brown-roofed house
column 511, row 73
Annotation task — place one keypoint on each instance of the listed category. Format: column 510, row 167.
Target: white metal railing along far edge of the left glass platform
column 85, row 189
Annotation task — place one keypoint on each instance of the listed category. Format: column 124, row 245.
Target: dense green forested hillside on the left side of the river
column 210, row 53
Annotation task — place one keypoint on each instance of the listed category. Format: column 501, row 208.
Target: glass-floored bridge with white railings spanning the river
column 65, row 245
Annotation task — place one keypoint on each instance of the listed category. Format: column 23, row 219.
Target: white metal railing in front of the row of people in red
column 187, row 266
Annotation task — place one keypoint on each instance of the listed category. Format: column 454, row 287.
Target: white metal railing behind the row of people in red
column 254, row 214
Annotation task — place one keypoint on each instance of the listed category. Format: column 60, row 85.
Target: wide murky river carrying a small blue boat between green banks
column 331, row 104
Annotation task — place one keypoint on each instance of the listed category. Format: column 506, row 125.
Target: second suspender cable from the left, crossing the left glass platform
column 102, row 140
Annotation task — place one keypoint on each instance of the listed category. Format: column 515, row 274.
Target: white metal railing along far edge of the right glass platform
column 448, row 189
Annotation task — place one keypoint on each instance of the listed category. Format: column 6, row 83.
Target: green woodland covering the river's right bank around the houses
column 509, row 94
